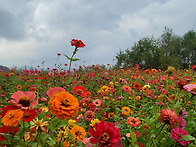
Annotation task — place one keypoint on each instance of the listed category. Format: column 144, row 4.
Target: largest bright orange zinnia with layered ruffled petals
column 64, row 105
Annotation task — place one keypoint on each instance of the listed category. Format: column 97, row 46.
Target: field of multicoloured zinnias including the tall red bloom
column 97, row 106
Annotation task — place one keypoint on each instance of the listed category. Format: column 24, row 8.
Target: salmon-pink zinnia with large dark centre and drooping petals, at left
column 24, row 100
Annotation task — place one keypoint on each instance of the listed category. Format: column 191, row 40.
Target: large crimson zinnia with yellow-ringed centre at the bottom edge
column 105, row 134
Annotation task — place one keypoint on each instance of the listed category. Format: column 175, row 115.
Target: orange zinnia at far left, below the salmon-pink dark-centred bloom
column 12, row 117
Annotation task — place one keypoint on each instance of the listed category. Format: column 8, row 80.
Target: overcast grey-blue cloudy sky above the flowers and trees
column 33, row 31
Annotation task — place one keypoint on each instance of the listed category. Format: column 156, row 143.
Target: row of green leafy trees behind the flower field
column 168, row 50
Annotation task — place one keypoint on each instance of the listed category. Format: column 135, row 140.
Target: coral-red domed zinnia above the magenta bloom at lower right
column 169, row 117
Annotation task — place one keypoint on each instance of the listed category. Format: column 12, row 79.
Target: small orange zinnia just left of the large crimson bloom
column 78, row 132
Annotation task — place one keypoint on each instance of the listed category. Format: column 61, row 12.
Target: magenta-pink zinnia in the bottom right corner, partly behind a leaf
column 177, row 133
